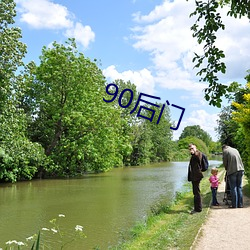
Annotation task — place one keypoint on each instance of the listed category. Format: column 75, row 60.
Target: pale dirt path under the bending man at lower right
column 225, row 228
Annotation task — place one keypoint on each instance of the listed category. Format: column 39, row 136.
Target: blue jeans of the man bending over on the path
column 235, row 182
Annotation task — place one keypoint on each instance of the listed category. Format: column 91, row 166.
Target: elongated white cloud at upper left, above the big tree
column 44, row 14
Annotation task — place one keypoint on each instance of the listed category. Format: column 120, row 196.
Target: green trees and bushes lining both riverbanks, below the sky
column 55, row 122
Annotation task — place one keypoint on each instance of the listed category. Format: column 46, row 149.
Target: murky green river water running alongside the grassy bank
column 104, row 204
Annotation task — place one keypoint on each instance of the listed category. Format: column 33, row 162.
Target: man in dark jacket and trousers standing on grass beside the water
column 195, row 175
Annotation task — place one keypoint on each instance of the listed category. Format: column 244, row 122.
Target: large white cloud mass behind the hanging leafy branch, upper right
column 165, row 33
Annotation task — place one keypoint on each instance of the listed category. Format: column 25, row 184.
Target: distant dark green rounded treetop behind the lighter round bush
column 196, row 131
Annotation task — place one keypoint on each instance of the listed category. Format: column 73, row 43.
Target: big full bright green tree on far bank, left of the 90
column 79, row 131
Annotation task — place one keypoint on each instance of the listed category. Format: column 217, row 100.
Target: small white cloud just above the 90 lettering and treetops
column 143, row 79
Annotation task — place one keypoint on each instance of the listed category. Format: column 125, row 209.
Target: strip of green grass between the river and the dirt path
column 170, row 227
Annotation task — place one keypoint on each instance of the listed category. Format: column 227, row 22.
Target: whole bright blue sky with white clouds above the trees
column 147, row 42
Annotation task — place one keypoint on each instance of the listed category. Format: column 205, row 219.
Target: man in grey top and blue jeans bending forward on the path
column 235, row 170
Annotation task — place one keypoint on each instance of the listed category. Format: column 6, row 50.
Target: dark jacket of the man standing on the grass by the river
column 194, row 168
